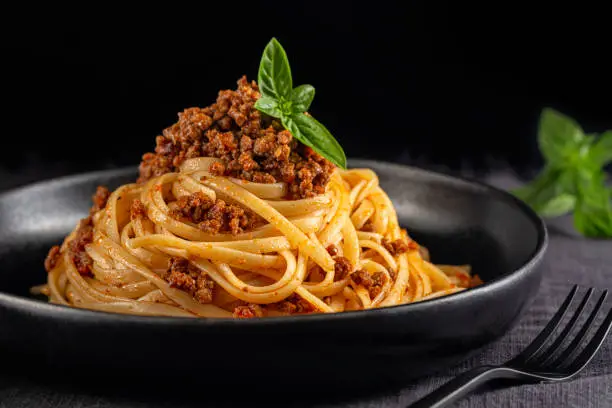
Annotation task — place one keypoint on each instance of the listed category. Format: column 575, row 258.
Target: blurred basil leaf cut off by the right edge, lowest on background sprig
column 593, row 212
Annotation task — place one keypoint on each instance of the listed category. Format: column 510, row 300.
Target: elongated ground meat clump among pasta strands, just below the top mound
column 215, row 216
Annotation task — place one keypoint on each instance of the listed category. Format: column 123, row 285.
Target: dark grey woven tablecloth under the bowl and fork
column 570, row 259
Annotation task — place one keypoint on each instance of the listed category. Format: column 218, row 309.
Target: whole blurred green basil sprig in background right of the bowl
column 573, row 178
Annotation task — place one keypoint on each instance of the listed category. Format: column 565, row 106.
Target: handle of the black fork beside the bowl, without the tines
column 461, row 385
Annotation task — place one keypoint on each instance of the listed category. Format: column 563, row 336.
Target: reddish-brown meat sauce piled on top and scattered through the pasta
column 251, row 146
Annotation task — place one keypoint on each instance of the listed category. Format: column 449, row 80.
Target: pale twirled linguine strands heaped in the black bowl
column 288, row 257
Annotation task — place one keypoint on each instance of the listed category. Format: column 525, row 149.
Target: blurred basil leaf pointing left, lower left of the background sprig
column 547, row 195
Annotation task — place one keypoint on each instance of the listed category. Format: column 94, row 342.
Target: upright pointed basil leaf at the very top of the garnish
column 274, row 77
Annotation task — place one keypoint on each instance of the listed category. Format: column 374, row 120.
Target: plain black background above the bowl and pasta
column 442, row 84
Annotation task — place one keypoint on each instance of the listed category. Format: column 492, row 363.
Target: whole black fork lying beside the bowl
column 538, row 362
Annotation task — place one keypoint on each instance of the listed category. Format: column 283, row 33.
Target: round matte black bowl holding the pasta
column 461, row 222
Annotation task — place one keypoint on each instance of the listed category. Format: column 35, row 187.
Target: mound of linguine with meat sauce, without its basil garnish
column 232, row 215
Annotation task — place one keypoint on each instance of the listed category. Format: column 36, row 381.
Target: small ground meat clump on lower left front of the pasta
column 181, row 274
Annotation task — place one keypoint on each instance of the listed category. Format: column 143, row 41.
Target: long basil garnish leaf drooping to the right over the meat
column 312, row 133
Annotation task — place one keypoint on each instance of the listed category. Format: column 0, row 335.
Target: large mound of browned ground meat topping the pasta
column 251, row 145
